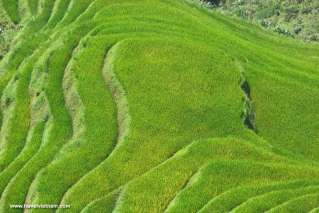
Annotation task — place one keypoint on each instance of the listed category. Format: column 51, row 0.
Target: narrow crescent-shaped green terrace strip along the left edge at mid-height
column 16, row 116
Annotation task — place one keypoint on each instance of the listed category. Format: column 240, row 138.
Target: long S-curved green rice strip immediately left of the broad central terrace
column 90, row 134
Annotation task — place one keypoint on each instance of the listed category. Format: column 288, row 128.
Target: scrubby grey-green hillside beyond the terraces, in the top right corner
column 293, row 18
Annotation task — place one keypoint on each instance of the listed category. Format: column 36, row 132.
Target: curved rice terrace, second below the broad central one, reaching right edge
column 236, row 174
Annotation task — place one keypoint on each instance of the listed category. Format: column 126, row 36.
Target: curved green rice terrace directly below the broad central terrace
column 161, row 184
